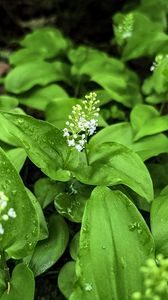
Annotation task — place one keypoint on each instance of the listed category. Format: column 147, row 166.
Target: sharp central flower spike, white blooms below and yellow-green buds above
column 82, row 122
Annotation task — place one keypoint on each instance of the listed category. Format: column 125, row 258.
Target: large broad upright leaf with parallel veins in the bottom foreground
column 107, row 265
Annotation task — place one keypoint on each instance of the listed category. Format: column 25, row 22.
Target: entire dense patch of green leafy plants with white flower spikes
column 102, row 149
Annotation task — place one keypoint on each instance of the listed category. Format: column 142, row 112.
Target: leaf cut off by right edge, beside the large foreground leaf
column 159, row 212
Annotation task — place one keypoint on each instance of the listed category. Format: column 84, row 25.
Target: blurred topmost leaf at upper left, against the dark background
column 46, row 41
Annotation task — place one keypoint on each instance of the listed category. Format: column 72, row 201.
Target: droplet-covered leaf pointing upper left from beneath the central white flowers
column 44, row 144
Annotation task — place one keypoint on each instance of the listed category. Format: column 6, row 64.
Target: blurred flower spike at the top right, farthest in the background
column 125, row 29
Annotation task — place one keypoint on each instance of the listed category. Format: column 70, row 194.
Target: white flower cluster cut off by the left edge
column 5, row 213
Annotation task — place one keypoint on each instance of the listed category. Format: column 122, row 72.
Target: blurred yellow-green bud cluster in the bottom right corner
column 155, row 279
